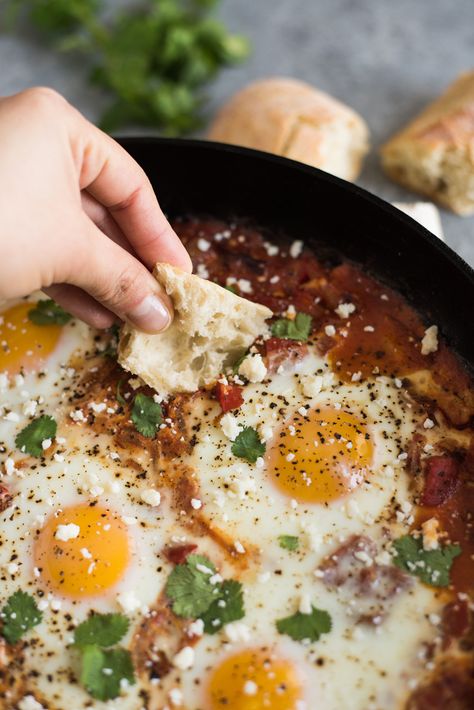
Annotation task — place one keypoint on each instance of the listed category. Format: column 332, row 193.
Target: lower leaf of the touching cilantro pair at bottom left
column 102, row 671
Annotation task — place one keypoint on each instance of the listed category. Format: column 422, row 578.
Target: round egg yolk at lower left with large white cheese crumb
column 82, row 551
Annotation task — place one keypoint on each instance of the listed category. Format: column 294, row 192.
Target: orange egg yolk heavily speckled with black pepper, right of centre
column 320, row 457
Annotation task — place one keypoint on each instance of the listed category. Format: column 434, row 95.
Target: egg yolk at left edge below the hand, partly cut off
column 24, row 346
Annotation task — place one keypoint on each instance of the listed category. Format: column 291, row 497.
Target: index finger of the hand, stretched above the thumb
column 115, row 180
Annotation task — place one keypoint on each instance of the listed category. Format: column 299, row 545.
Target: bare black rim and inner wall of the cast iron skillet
column 334, row 216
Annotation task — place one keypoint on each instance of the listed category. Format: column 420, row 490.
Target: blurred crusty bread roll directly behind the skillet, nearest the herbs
column 293, row 119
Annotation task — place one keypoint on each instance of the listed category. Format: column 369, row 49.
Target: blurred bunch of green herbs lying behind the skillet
column 154, row 60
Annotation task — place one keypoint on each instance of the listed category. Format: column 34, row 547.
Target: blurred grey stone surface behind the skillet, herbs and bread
column 386, row 58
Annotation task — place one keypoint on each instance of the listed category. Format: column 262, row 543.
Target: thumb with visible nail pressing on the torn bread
column 118, row 281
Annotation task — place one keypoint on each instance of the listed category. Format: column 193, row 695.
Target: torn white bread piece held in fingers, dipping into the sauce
column 212, row 328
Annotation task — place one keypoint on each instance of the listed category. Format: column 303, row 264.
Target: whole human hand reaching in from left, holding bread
column 78, row 217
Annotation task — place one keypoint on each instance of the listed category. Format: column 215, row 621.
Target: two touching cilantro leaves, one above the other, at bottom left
column 103, row 669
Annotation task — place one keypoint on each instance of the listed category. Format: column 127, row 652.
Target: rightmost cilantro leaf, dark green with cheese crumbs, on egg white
column 431, row 566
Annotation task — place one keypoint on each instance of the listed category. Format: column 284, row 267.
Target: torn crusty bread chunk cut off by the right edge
column 434, row 153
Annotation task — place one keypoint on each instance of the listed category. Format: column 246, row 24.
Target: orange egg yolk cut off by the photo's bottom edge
column 254, row 679
